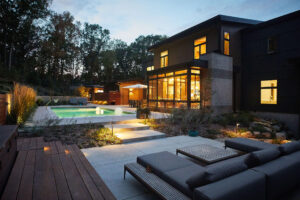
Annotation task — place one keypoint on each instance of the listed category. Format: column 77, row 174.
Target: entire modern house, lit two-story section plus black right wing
column 230, row 64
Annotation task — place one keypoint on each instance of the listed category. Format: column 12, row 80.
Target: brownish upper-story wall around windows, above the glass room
column 182, row 50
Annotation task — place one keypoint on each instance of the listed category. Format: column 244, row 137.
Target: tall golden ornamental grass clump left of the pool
column 23, row 103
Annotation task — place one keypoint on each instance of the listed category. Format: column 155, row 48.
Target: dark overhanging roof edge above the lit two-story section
column 216, row 19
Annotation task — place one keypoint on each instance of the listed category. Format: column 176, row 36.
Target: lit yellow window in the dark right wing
column 268, row 92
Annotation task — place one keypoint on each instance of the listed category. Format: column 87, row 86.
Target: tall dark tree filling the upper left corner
column 19, row 20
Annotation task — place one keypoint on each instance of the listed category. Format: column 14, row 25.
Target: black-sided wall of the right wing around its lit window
column 282, row 65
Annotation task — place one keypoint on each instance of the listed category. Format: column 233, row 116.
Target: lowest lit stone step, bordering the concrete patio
column 139, row 135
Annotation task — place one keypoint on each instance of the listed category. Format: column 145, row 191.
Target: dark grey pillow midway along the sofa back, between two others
column 260, row 157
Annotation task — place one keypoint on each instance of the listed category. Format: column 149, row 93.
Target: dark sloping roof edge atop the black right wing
column 273, row 21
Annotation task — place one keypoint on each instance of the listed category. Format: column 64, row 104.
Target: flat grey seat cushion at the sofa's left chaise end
column 163, row 161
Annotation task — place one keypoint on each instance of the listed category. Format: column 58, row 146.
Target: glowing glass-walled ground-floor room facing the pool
column 177, row 86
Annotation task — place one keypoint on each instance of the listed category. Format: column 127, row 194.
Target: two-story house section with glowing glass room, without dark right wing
column 194, row 68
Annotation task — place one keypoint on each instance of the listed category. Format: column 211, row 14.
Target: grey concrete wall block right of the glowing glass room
column 219, row 76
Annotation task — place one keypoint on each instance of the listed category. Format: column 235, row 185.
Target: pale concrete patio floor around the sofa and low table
column 109, row 162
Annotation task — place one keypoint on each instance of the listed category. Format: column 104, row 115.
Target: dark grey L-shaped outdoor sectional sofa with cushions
column 268, row 174
